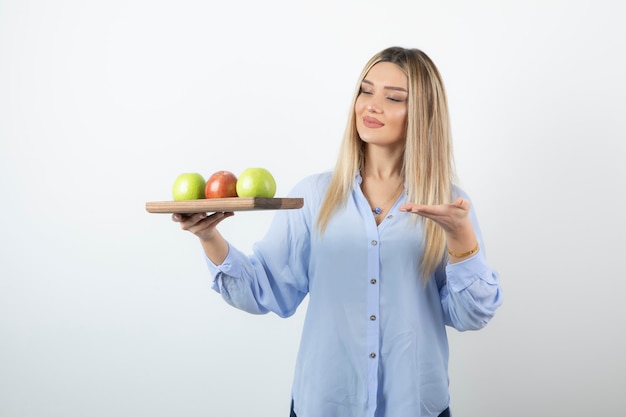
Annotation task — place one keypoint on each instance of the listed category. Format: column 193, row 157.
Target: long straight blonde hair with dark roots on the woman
column 428, row 165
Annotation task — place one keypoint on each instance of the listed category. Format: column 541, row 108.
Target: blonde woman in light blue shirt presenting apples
column 387, row 248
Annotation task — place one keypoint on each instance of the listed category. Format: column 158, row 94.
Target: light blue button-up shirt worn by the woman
column 374, row 339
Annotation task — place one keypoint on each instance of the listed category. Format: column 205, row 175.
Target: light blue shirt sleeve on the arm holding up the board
column 273, row 278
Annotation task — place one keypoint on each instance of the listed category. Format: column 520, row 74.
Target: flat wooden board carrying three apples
column 224, row 204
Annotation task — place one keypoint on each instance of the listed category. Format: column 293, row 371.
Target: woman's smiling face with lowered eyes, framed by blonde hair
column 381, row 107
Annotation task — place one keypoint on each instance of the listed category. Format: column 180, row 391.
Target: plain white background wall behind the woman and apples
column 106, row 310
